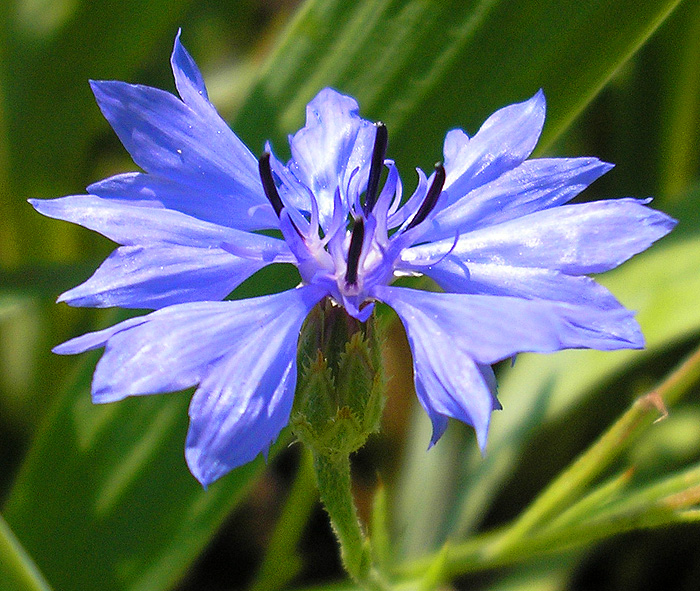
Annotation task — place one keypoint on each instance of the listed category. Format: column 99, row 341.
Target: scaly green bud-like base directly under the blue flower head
column 341, row 387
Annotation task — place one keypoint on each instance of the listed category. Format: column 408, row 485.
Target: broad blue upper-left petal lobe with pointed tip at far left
column 168, row 138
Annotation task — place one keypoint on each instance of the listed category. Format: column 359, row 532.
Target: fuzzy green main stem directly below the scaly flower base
column 334, row 485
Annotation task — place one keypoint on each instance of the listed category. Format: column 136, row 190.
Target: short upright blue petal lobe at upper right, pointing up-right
column 504, row 141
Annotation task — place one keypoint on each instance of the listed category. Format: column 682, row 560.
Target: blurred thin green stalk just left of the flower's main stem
column 282, row 563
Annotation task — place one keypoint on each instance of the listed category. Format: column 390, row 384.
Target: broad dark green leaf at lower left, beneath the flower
column 105, row 498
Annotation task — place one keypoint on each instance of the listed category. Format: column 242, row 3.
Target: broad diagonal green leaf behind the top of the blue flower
column 424, row 67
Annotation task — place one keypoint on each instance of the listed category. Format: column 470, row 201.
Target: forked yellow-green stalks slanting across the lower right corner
column 651, row 507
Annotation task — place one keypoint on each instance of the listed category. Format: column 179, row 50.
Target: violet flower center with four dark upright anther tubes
column 358, row 248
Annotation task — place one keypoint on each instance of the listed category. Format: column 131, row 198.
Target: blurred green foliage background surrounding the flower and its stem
column 100, row 497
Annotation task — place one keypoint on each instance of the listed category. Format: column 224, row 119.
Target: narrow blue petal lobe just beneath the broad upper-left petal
column 213, row 205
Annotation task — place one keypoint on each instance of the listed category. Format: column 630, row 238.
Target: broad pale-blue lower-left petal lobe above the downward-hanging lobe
column 179, row 346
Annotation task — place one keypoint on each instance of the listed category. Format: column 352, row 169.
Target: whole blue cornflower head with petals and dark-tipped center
column 492, row 228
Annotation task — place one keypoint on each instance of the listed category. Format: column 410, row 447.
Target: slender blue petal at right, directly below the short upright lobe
column 534, row 185
